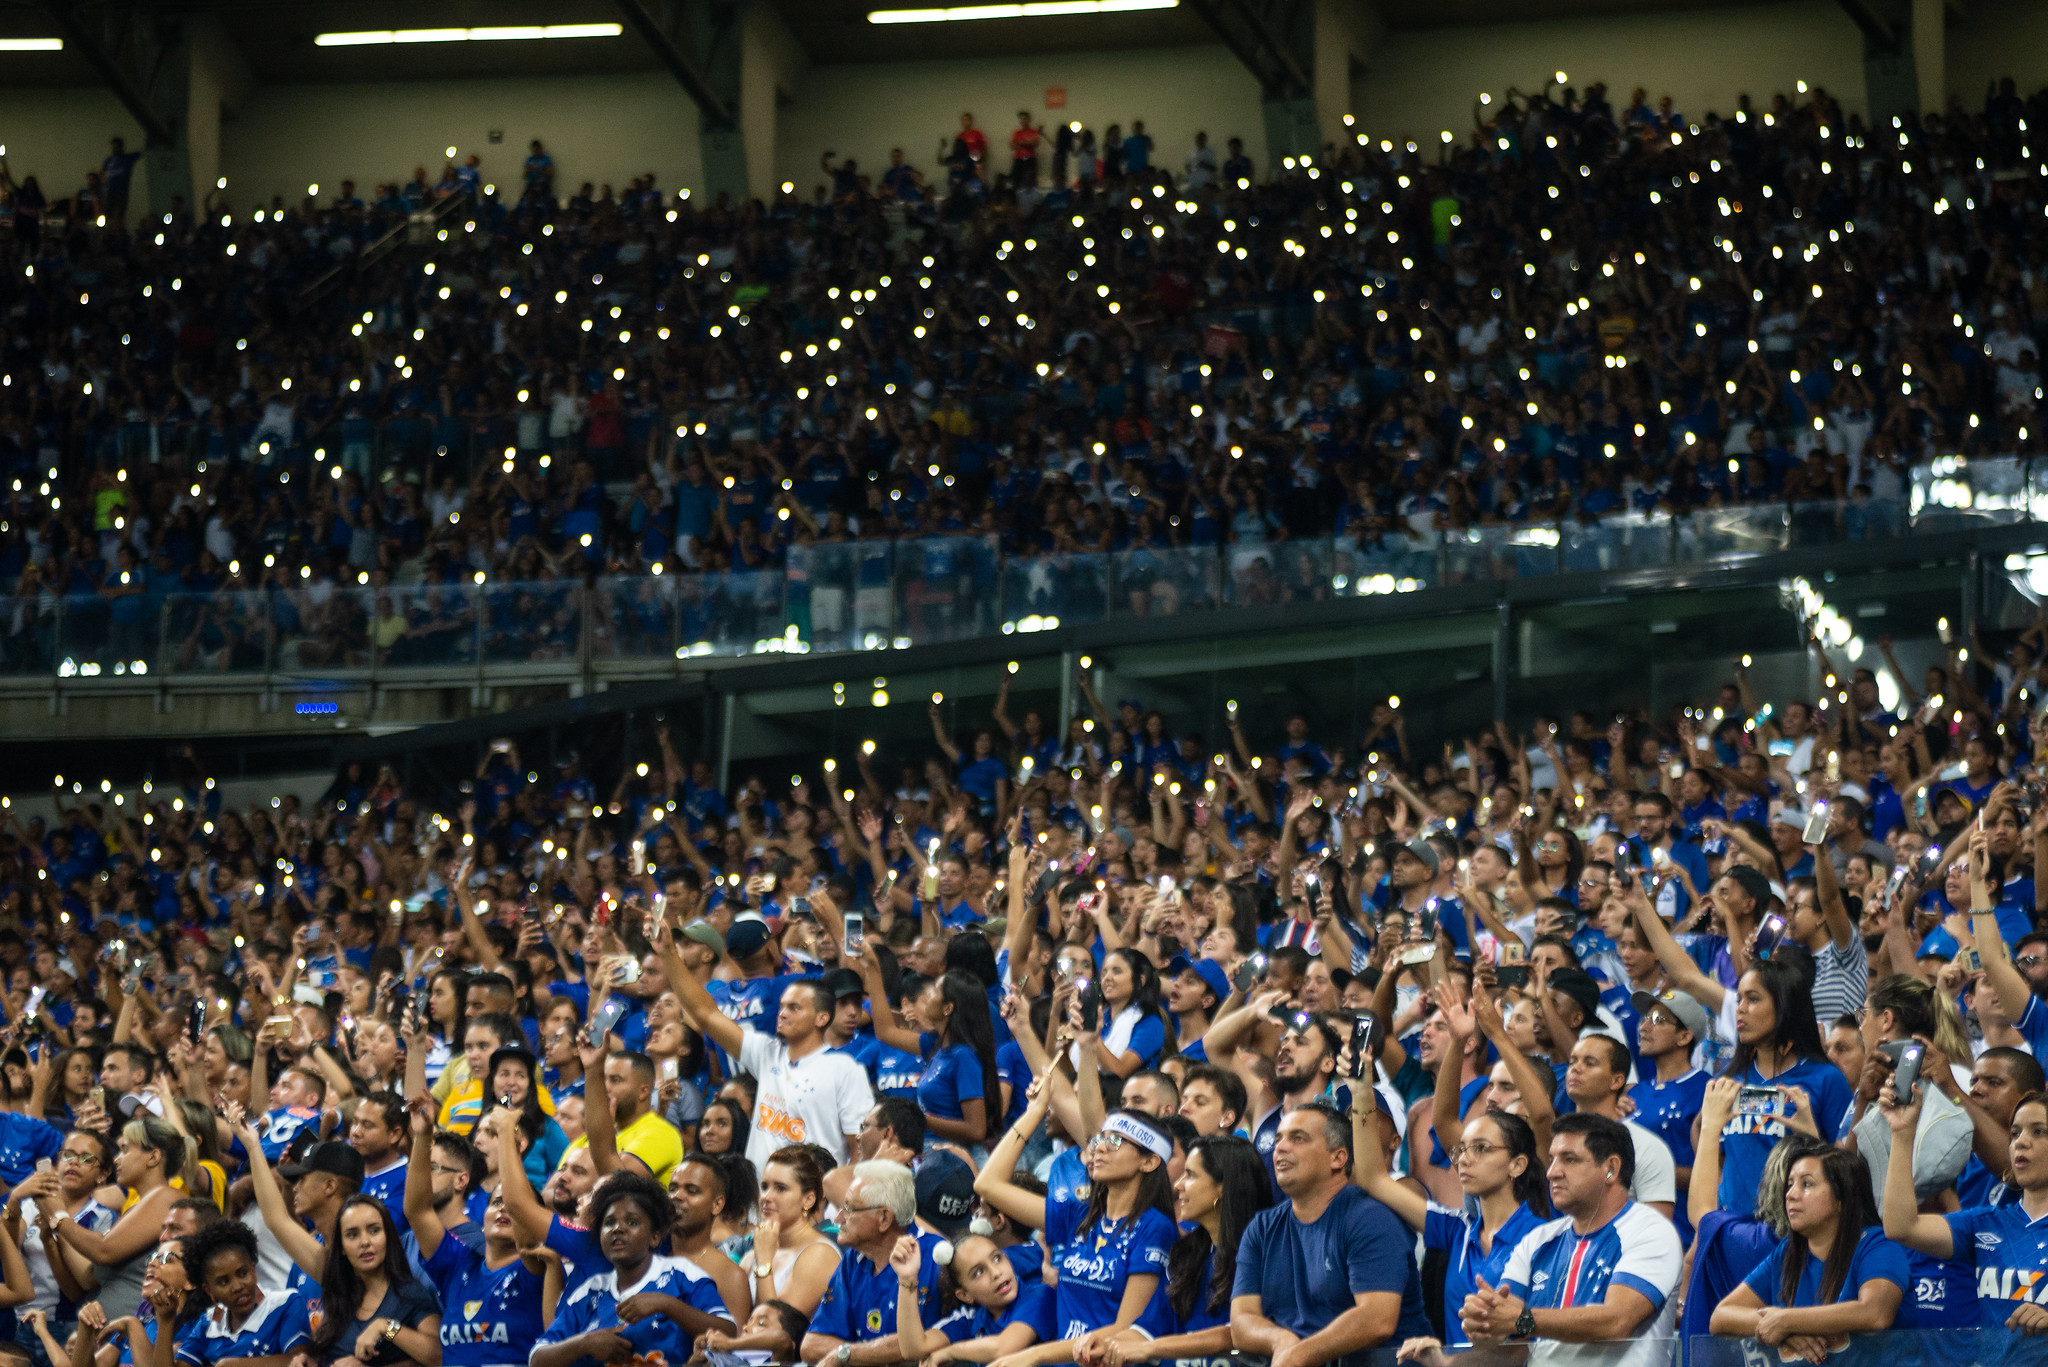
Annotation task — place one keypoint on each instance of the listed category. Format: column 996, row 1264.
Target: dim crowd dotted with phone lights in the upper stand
column 1584, row 308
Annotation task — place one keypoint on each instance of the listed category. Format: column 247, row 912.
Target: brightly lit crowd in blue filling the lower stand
column 1056, row 1044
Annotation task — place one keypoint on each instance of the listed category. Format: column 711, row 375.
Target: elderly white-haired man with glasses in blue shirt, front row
column 855, row 1323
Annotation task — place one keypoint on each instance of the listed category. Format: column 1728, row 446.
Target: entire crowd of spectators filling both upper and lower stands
column 1074, row 1040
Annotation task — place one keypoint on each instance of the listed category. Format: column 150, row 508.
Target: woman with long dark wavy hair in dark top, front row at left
column 374, row 1311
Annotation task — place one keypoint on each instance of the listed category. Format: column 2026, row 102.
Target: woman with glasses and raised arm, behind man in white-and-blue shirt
column 1506, row 1196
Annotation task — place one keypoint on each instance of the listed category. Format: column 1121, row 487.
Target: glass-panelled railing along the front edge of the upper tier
column 914, row 591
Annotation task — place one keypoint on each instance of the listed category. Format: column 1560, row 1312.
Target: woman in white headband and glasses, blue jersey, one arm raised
column 1113, row 1251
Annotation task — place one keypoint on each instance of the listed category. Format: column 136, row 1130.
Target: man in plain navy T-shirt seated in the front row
column 1326, row 1274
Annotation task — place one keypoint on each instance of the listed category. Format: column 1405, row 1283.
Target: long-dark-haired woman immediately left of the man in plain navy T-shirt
column 1220, row 1192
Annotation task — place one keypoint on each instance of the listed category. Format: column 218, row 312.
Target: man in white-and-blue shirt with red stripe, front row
column 1603, row 1272
